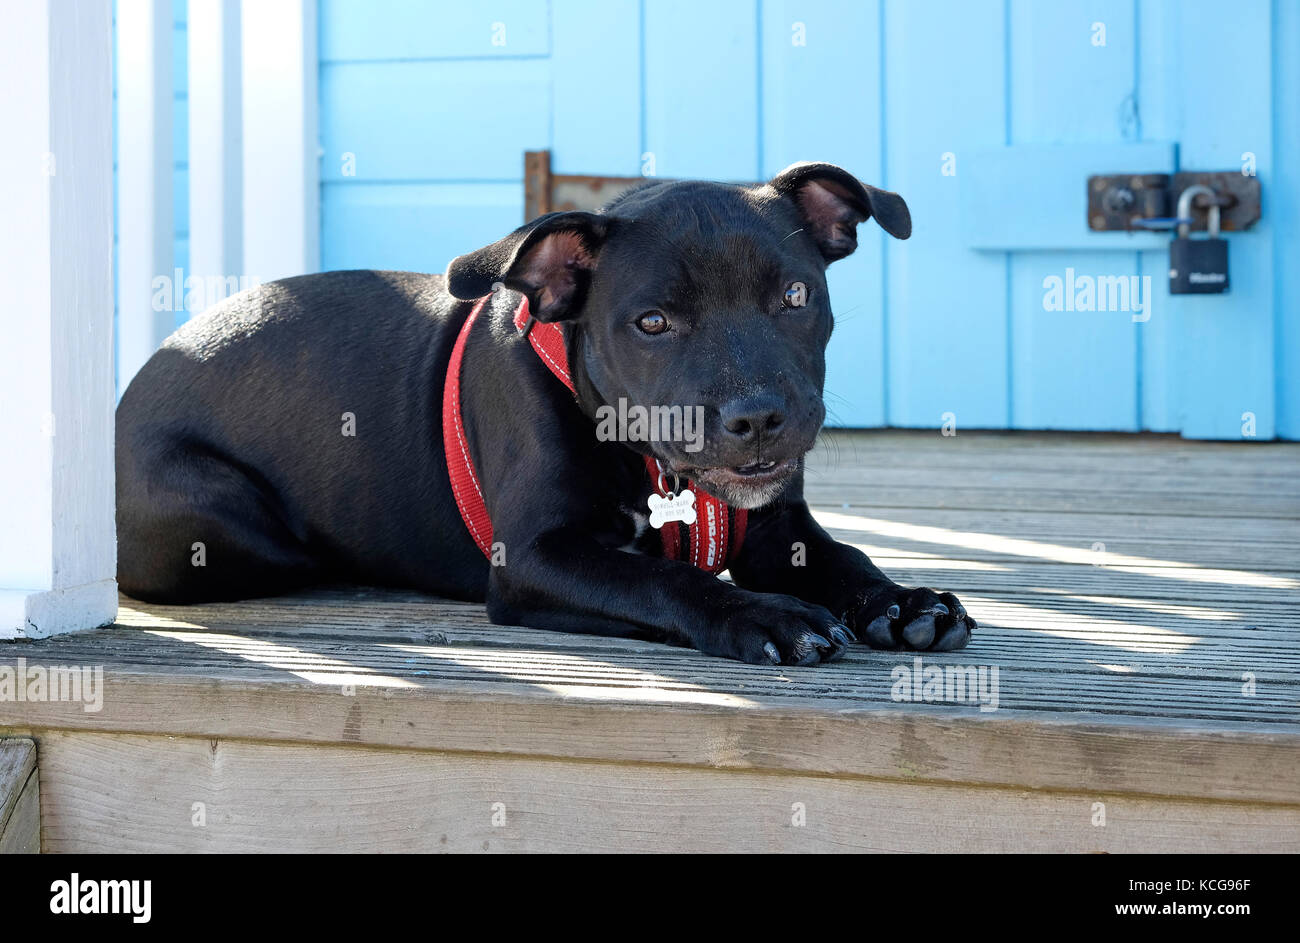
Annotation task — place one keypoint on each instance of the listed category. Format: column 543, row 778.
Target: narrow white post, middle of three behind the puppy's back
column 216, row 146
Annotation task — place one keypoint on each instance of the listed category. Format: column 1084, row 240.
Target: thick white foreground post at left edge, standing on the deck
column 58, row 551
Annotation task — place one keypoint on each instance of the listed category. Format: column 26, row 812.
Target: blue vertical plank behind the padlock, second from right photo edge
column 1227, row 343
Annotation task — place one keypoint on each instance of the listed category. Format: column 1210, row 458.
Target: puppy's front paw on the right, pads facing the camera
column 916, row 620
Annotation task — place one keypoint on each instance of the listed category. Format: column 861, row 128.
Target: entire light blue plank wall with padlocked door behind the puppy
column 987, row 115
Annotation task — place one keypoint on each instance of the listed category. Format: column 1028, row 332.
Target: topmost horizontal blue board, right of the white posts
column 418, row 29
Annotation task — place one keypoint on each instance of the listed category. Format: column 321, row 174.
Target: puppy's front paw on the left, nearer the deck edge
column 781, row 630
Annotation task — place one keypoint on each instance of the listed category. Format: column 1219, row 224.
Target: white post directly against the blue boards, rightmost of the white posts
column 281, row 194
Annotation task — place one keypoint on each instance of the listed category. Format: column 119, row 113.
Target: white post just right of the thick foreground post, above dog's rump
column 146, row 231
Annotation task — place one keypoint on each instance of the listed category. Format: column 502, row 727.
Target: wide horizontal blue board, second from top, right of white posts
column 427, row 122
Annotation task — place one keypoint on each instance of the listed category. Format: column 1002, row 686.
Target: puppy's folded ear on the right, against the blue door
column 834, row 202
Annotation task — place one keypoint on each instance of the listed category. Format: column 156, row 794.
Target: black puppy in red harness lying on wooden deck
column 296, row 434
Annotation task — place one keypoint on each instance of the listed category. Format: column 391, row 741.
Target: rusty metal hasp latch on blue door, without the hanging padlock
column 1137, row 202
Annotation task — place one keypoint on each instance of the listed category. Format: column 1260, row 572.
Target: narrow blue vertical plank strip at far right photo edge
column 1284, row 204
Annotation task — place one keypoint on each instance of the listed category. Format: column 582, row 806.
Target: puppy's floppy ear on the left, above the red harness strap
column 549, row 259
